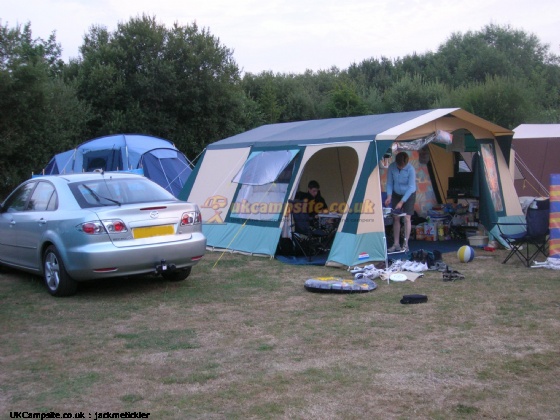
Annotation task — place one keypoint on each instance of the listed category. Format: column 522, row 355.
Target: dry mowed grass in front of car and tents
column 241, row 338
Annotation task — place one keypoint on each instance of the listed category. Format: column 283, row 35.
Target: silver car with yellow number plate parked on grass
column 71, row 228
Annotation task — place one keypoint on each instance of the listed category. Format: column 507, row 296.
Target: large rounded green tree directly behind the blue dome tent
column 178, row 83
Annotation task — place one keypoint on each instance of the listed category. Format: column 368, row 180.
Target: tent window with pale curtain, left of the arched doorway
column 264, row 183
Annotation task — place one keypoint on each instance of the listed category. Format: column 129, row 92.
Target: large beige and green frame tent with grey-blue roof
column 243, row 183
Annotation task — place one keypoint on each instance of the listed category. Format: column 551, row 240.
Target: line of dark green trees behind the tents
column 180, row 83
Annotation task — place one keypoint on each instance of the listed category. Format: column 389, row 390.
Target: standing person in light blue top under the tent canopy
column 401, row 196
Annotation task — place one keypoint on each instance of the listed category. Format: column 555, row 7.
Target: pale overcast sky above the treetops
column 292, row 36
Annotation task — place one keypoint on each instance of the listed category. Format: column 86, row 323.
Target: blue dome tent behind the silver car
column 156, row 158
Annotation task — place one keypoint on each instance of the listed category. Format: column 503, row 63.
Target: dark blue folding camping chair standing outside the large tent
column 527, row 240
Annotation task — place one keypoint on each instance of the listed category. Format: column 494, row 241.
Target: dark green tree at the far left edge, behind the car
column 39, row 114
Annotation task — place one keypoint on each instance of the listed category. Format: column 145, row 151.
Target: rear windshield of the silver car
column 111, row 192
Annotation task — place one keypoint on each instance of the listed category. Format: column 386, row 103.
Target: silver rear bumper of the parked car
column 109, row 261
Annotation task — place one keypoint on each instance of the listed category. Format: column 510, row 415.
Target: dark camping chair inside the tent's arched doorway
column 307, row 238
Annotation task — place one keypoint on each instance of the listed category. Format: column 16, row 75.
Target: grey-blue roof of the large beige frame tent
column 335, row 130
